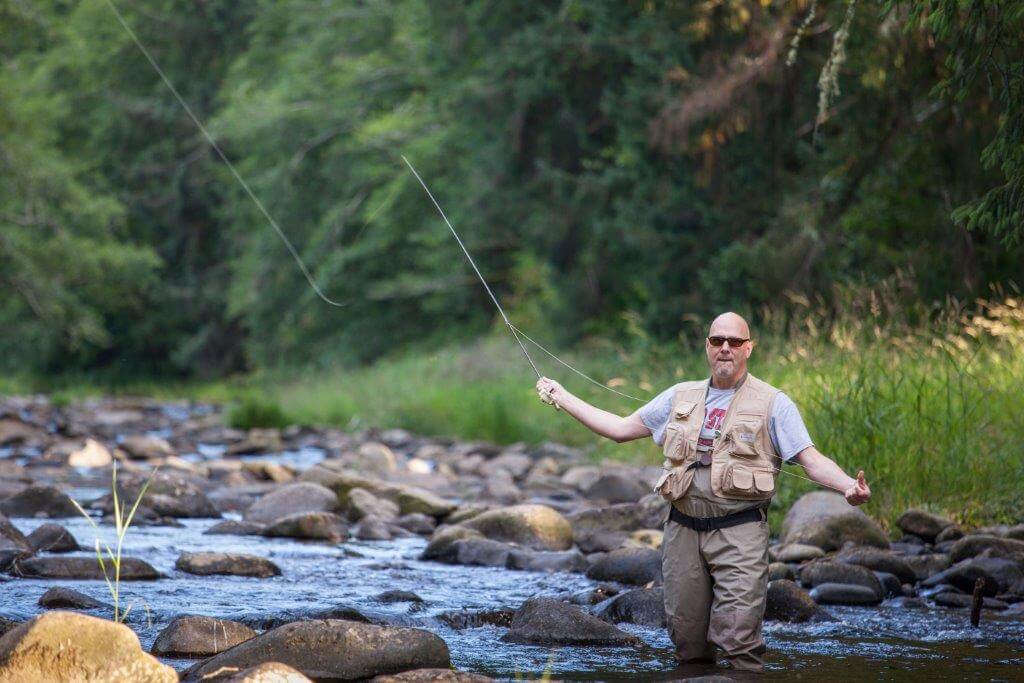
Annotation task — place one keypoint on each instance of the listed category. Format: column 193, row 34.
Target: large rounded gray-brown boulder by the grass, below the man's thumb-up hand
column 825, row 520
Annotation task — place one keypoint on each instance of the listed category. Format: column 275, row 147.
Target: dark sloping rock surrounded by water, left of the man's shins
column 550, row 622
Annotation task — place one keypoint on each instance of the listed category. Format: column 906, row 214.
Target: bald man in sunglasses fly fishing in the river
column 724, row 441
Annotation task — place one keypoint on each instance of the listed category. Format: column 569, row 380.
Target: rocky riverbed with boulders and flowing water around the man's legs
column 360, row 556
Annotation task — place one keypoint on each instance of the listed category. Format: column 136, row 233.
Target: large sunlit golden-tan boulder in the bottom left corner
column 66, row 647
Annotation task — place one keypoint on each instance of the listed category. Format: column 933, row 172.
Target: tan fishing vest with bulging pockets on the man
column 744, row 460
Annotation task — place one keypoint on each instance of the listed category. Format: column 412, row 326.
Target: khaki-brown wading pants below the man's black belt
column 715, row 584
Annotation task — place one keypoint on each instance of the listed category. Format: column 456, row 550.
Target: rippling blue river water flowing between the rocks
column 888, row 644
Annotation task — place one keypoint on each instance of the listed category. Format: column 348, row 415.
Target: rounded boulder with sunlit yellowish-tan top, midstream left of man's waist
column 536, row 527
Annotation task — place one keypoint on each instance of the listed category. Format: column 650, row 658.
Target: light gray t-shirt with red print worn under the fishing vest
column 786, row 428
